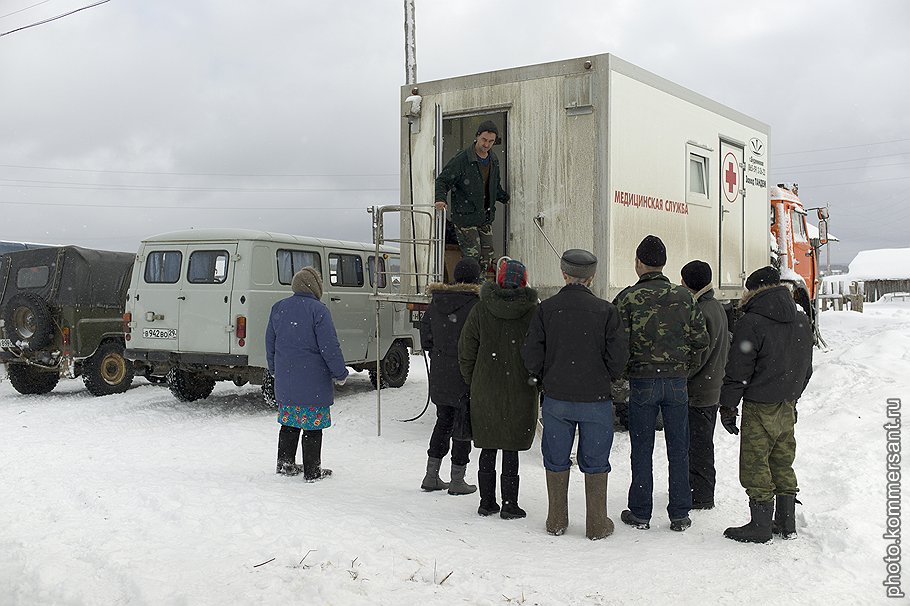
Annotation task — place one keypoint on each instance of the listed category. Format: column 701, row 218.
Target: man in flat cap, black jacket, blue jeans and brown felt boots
column 576, row 345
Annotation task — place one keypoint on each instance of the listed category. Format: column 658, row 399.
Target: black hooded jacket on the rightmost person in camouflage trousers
column 771, row 355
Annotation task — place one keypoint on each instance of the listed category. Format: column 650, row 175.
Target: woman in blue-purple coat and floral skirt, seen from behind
column 305, row 358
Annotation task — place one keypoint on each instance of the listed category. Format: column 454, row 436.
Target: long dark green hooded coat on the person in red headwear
column 503, row 405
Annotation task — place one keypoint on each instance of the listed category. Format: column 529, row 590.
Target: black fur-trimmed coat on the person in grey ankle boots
column 440, row 329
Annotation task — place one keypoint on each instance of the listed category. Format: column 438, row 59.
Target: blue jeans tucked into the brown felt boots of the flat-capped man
column 594, row 421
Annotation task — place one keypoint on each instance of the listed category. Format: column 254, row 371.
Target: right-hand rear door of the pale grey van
column 204, row 299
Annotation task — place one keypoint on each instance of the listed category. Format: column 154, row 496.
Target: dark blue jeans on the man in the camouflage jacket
column 648, row 397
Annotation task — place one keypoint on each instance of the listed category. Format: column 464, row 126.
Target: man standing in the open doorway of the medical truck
column 472, row 176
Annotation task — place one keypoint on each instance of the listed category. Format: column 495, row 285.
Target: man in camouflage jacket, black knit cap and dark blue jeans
column 666, row 333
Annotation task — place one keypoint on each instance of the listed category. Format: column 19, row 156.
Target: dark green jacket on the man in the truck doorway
column 463, row 177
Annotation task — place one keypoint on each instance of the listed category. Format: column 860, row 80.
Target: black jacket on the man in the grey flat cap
column 577, row 344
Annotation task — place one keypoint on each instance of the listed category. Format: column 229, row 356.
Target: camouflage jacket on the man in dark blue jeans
column 666, row 329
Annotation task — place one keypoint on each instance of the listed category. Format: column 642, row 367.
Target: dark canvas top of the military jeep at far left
column 68, row 276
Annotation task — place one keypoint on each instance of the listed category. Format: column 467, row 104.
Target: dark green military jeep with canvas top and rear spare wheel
column 61, row 310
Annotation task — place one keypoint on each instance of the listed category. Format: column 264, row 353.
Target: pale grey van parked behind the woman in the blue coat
column 199, row 304
